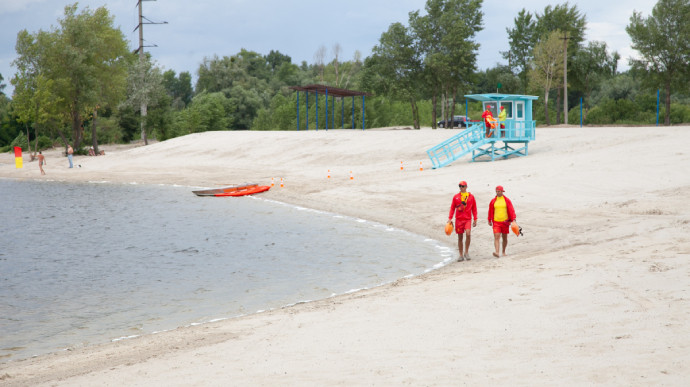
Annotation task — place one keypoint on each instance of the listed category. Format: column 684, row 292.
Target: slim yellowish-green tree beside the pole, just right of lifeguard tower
column 547, row 66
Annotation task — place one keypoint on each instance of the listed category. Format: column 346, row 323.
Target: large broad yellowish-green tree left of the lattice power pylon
column 84, row 59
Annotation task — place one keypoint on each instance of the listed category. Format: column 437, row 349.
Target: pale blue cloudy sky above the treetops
column 203, row 28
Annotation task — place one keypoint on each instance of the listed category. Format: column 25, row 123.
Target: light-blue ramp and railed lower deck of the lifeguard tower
column 514, row 139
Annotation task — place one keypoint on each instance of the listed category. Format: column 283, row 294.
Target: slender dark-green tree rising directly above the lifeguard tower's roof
column 522, row 39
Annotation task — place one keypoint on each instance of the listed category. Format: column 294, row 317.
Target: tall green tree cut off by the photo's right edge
column 663, row 41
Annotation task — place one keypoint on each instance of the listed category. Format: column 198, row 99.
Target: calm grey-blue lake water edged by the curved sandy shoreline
column 90, row 263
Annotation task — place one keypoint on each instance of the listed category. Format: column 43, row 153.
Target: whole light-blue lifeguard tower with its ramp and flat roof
column 513, row 139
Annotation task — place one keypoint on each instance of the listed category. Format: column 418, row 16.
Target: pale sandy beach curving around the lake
column 595, row 293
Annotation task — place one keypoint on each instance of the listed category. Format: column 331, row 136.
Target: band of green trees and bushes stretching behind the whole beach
column 78, row 83
